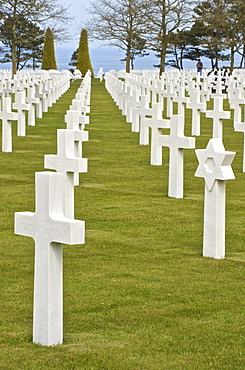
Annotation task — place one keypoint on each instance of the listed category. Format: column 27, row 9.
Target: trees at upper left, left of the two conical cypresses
column 22, row 29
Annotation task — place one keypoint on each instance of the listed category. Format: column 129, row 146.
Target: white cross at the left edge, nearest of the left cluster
column 7, row 116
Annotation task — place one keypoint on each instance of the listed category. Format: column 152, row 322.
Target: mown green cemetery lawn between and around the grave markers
column 138, row 294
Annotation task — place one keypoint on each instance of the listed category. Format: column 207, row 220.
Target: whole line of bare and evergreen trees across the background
column 173, row 29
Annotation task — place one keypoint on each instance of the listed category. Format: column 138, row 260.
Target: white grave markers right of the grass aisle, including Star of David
column 214, row 162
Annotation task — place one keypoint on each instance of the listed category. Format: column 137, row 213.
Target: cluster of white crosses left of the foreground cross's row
column 34, row 92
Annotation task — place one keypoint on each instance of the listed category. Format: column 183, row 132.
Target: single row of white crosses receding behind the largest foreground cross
column 52, row 225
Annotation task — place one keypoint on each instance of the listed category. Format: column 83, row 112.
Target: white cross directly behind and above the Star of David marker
column 217, row 114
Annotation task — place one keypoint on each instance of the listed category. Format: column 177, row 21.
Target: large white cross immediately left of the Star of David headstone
column 176, row 142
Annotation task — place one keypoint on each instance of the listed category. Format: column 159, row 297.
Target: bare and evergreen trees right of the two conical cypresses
column 182, row 29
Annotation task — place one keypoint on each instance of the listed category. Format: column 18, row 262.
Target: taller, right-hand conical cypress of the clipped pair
column 83, row 60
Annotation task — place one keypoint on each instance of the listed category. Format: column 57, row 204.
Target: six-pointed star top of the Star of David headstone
column 214, row 163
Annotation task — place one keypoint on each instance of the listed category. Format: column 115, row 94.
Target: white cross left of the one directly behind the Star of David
column 197, row 107
